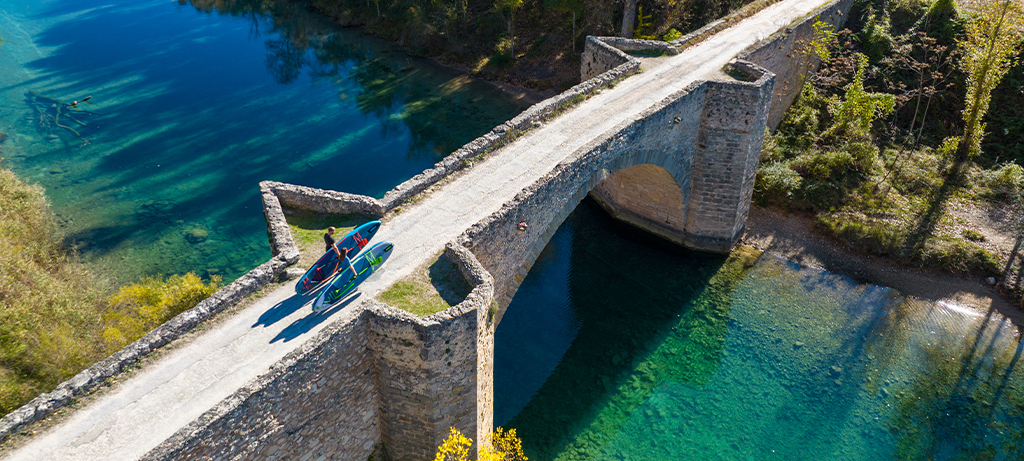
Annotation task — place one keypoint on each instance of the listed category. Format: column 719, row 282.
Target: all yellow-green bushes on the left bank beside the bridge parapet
column 56, row 317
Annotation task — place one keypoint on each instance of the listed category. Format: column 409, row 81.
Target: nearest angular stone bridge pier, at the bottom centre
column 429, row 369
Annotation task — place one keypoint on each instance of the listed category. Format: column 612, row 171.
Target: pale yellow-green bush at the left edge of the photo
column 50, row 306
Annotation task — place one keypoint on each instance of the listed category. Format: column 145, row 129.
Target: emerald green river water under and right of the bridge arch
column 649, row 353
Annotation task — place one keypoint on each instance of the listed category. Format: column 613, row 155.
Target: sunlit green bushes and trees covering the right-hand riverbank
column 870, row 146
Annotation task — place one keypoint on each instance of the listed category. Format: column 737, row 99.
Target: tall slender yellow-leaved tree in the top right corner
column 995, row 32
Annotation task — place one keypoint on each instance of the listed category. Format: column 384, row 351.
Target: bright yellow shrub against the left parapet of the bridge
column 138, row 309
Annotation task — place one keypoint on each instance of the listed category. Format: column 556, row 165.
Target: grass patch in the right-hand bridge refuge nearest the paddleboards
column 433, row 288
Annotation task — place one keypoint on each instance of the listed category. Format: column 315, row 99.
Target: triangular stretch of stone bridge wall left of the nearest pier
column 320, row 401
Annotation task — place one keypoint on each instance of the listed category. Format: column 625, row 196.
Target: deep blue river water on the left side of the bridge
column 195, row 104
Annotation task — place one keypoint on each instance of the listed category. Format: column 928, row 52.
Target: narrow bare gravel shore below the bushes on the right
column 794, row 237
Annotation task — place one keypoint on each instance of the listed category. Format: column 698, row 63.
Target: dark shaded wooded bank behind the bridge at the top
column 534, row 44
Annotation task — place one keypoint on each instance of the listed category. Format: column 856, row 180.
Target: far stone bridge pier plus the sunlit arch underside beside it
column 705, row 207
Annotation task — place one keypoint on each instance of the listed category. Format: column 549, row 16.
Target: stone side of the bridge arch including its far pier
column 705, row 141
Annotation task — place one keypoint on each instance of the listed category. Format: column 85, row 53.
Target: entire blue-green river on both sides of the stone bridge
column 618, row 347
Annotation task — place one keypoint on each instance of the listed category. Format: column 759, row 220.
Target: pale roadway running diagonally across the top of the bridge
column 138, row 414
